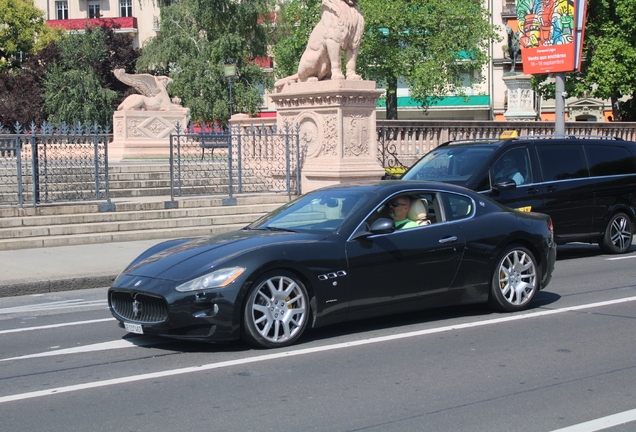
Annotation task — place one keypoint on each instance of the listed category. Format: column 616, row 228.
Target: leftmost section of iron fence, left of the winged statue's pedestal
column 46, row 164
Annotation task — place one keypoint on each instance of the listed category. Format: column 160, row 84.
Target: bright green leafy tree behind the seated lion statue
column 437, row 46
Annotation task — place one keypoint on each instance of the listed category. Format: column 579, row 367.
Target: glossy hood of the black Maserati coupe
column 194, row 257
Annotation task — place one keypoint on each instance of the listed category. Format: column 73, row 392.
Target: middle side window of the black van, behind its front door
column 562, row 161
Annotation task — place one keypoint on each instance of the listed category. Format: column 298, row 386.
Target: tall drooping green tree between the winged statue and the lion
column 197, row 38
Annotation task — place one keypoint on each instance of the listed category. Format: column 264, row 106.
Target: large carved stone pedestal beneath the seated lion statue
column 337, row 128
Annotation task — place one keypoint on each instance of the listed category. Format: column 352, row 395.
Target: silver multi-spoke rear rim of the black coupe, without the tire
column 517, row 277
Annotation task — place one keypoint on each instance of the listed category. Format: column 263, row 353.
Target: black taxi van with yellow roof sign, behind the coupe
column 586, row 184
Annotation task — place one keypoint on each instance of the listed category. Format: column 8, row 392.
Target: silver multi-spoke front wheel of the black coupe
column 278, row 310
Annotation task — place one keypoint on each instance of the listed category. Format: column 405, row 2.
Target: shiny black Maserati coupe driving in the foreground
column 335, row 255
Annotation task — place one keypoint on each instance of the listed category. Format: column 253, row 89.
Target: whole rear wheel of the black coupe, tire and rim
column 515, row 280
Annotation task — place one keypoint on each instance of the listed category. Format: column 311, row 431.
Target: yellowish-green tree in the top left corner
column 23, row 32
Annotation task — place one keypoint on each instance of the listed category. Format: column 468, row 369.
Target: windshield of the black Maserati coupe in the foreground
column 321, row 211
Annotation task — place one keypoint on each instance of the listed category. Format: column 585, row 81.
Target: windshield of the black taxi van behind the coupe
column 449, row 164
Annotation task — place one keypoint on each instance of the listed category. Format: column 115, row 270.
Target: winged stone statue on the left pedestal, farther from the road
column 153, row 97
